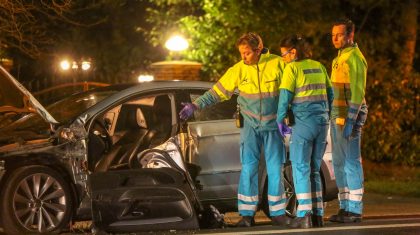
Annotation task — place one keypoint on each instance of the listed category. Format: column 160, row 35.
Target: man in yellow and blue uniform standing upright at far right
column 348, row 115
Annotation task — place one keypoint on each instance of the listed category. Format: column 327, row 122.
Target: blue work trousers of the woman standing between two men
column 307, row 147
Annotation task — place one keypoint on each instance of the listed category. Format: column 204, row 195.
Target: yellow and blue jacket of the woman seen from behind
column 311, row 87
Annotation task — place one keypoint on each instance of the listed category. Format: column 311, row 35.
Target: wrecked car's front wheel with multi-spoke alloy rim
column 36, row 199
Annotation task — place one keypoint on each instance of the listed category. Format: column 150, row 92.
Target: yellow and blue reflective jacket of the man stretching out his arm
column 258, row 87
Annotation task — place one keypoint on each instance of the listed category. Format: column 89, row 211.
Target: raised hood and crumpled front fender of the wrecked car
column 16, row 99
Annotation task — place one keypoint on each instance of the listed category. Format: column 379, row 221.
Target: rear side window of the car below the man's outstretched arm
column 219, row 111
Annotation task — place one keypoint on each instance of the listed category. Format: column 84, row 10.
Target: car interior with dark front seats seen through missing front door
column 117, row 136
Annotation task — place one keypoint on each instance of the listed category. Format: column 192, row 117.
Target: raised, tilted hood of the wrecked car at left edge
column 16, row 100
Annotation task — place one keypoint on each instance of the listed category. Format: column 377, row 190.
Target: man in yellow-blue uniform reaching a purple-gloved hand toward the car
column 257, row 77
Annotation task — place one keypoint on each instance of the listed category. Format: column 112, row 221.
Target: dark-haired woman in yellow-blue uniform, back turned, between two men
column 306, row 88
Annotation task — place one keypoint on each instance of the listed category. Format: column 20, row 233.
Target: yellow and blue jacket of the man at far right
column 348, row 76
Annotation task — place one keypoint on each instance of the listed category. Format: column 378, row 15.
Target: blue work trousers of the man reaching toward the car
column 253, row 141
